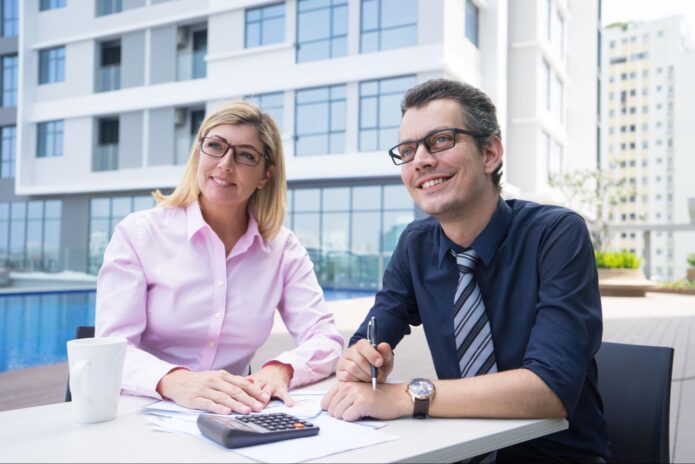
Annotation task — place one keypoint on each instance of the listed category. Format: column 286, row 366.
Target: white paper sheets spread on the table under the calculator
column 335, row 436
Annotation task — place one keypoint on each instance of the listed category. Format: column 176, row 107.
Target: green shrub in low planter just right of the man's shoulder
column 619, row 274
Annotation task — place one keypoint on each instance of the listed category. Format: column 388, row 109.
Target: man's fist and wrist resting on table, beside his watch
column 351, row 401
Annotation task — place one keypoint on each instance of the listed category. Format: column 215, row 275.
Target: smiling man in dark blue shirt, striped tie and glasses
column 536, row 296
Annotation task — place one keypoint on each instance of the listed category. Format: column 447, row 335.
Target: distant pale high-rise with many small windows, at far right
column 649, row 70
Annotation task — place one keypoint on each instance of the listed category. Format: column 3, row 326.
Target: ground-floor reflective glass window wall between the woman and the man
column 349, row 232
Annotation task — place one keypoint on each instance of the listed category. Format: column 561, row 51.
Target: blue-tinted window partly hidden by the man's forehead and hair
column 380, row 114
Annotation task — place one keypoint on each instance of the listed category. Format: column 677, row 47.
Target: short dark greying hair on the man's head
column 479, row 113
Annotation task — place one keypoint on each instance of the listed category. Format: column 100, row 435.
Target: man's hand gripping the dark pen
column 355, row 364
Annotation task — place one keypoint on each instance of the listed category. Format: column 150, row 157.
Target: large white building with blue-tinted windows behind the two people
column 111, row 94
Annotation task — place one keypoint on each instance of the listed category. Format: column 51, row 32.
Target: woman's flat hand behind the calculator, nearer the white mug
column 215, row 391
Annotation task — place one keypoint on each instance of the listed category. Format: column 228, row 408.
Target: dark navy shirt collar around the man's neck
column 487, row 242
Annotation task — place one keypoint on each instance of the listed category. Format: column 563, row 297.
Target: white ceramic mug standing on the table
column 96, row 372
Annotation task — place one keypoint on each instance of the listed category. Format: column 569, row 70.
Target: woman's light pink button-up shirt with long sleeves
column 167, row 286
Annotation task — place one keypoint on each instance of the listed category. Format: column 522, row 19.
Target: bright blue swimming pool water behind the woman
column 35, row 327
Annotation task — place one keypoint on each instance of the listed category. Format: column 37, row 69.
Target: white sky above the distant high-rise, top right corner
column 626, row 10
